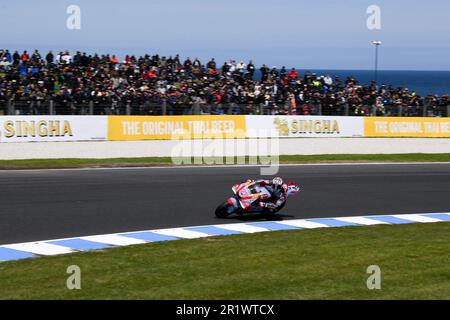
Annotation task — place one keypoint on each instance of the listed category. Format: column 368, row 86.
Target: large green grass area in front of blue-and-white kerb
column 305, row 264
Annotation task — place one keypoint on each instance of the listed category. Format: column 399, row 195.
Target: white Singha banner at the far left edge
column 52, row 128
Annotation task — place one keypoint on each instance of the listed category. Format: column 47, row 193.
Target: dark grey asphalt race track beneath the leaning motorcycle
column 51, row 204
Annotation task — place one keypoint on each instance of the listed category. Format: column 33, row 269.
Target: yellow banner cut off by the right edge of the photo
column 406, row 127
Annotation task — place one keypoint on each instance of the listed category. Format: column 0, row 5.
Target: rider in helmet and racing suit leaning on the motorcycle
column 278, row 194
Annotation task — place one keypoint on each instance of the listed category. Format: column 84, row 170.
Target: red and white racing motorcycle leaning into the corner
column 248, row 193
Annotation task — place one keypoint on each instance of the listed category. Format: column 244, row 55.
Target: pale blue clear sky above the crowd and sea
column 326, row 34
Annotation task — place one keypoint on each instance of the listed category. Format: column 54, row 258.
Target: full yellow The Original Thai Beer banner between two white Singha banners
column 175, row 127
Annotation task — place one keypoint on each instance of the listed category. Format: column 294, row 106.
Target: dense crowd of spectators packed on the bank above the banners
column 153, row 84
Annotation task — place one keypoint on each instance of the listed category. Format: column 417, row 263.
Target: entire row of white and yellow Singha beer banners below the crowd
column 116, row 128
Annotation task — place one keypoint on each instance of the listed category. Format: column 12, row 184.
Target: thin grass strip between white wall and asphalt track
column 157, row 161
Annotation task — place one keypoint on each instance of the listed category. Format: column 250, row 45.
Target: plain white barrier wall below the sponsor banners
column 165, row 148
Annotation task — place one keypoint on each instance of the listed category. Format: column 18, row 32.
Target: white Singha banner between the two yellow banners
column 304, row 126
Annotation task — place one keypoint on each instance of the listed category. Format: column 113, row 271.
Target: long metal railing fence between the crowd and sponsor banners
column 51, row 107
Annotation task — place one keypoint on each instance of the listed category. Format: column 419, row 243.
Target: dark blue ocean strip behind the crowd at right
column 423, row 82
